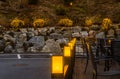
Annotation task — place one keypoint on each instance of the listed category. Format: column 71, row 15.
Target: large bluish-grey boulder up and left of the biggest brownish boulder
column 37, row 41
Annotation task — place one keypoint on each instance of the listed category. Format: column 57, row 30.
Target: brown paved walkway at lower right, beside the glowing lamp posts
column 79, row 71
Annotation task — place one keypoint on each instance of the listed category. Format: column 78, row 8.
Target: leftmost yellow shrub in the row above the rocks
column 17, row 23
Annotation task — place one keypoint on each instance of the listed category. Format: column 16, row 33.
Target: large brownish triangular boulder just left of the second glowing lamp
column 52, row 46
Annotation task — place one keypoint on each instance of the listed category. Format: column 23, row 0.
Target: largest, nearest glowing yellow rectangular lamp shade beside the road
column 57, row 64
